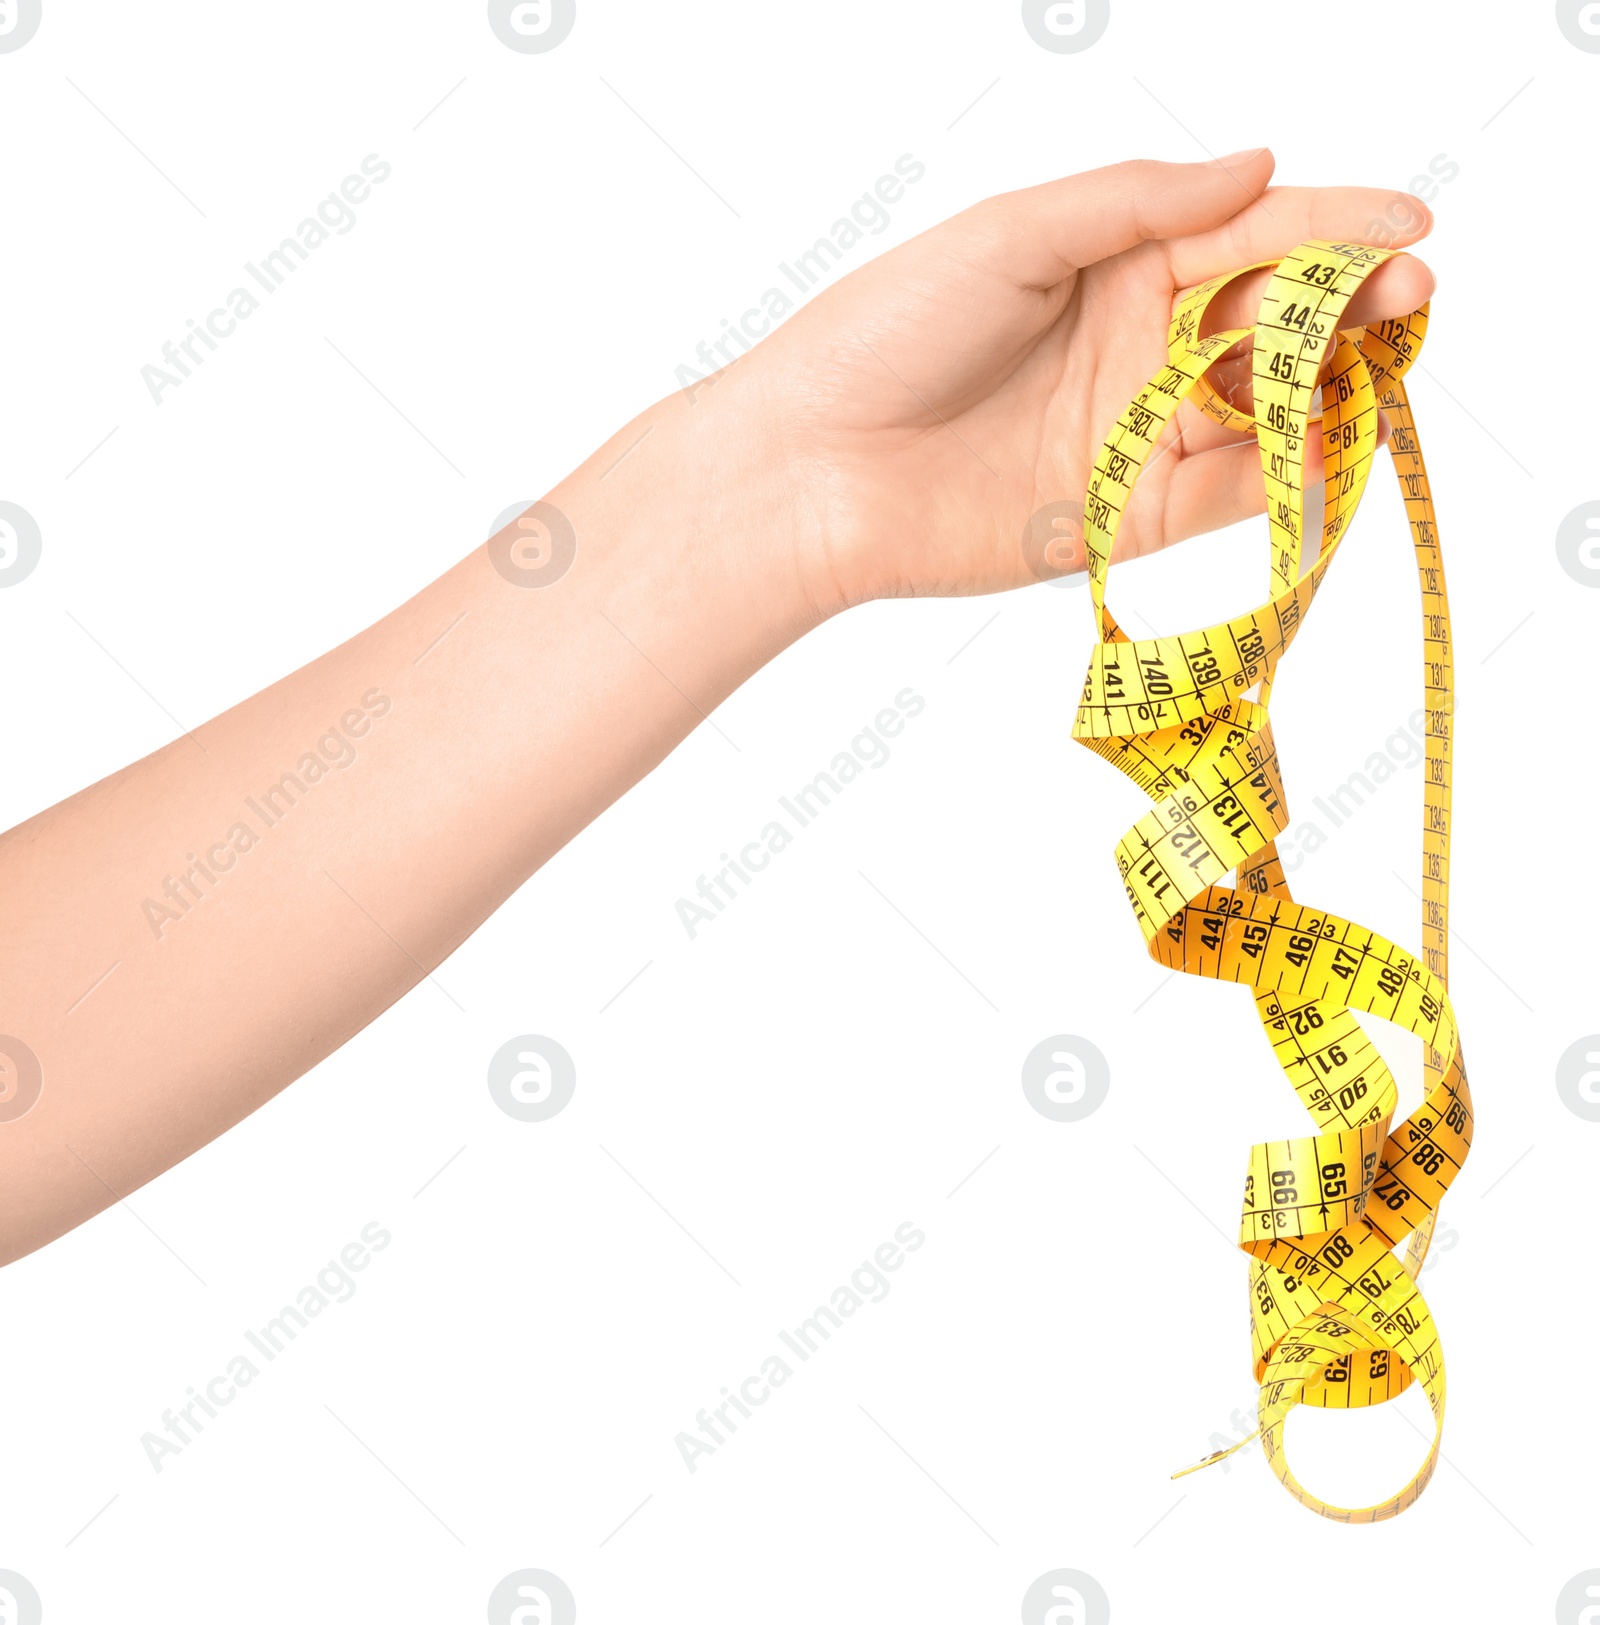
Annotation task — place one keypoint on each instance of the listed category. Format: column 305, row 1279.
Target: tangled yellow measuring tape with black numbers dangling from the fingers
column 1336, row 1317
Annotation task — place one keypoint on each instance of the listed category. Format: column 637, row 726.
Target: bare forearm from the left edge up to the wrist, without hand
column 254, row 895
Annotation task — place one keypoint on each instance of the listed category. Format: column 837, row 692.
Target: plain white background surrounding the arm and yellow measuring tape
column 842, row 1049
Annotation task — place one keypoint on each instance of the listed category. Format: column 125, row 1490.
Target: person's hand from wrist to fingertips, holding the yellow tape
column 933, row 401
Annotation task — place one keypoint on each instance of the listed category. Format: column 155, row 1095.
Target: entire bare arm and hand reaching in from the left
column 891, row 440
